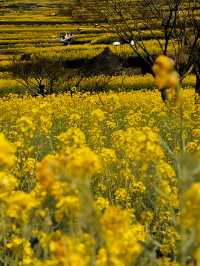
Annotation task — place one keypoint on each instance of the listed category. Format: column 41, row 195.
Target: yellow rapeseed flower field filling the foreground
column 104, row 179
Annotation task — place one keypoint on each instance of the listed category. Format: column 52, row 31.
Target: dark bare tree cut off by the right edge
column 186, row 39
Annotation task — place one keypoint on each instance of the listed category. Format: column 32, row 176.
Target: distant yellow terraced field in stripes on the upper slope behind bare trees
column 34, row 27
